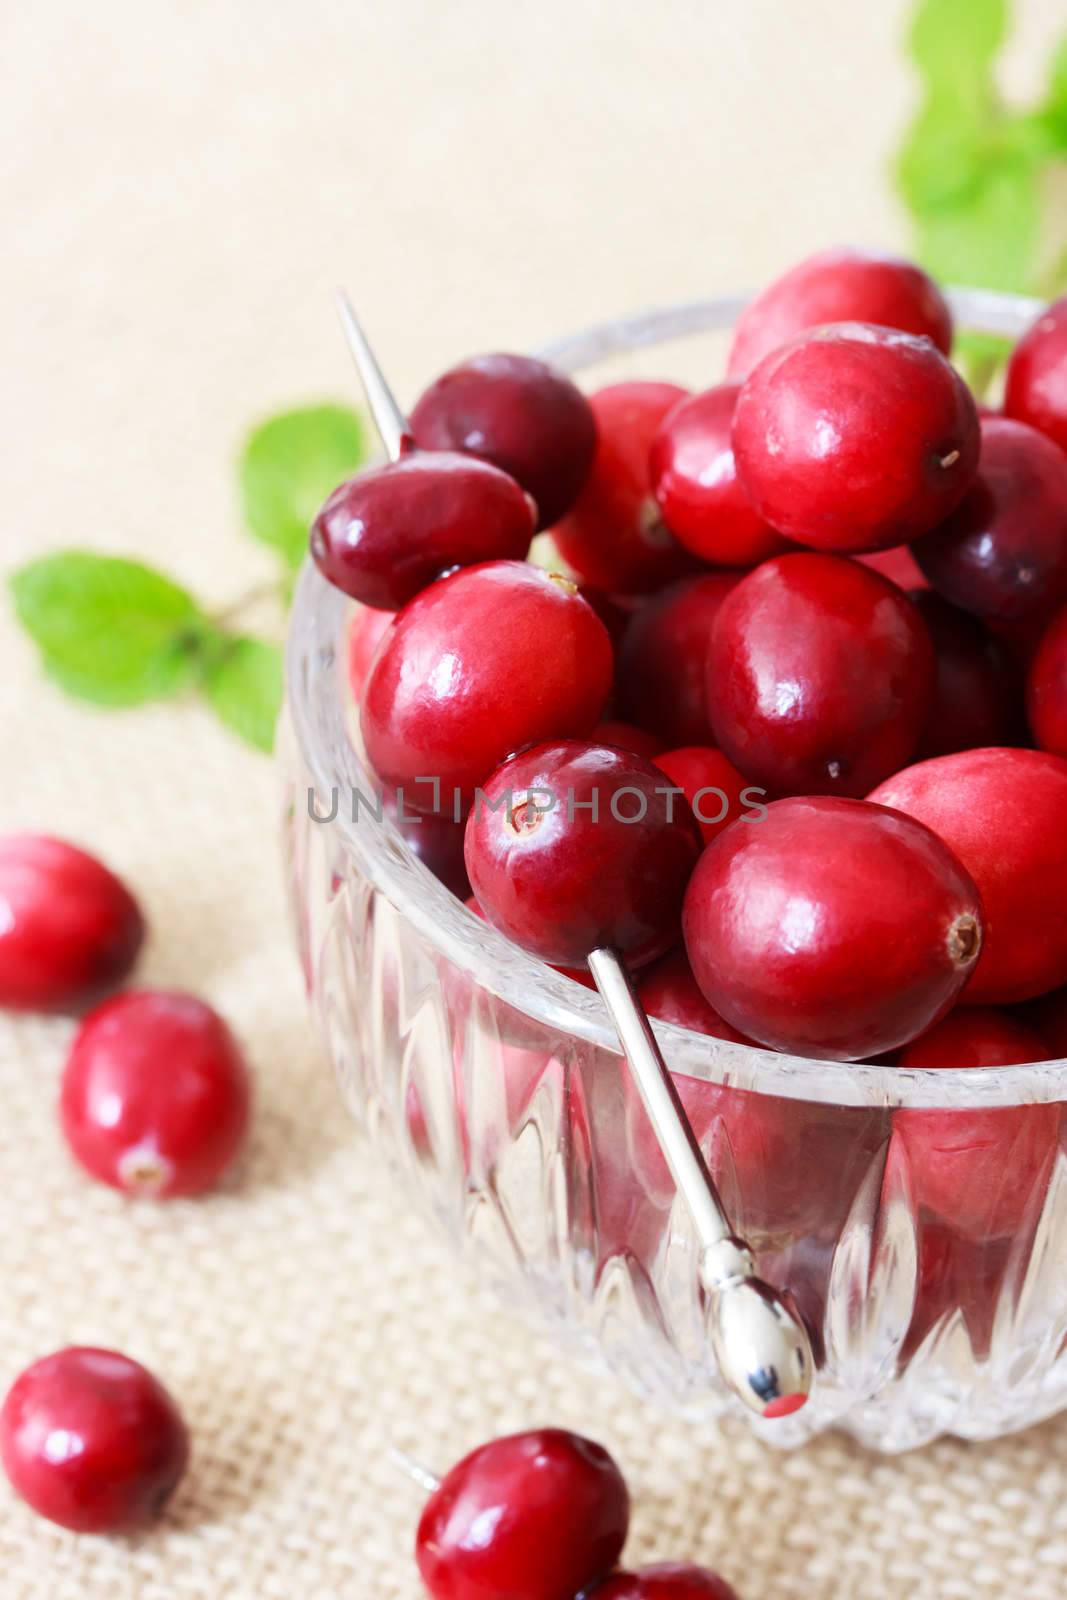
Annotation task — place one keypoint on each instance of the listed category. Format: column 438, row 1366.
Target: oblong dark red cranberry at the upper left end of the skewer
column 390, row 532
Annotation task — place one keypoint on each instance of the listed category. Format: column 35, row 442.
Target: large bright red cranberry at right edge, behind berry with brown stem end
column 1002, row 814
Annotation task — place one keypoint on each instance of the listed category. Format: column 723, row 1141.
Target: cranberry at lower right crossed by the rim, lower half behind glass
column 977, row 1170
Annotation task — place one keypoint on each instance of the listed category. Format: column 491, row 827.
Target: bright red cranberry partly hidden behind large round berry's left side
column 697, row 486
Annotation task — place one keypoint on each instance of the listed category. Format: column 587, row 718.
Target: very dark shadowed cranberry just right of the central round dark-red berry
column 977, row 695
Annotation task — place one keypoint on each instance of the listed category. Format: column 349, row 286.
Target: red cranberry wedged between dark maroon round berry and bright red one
column 613, row 537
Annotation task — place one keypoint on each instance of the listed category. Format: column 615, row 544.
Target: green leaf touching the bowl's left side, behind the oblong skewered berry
column 289, row 468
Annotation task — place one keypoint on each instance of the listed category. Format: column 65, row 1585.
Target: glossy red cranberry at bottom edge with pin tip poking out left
column 540, row 1514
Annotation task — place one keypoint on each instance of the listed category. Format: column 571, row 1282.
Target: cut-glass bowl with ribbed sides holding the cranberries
column 495, row 1089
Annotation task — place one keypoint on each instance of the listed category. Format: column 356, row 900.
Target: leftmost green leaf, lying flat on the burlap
column 110, row 631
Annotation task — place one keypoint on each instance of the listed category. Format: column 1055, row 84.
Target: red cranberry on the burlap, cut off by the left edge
column 68, row 927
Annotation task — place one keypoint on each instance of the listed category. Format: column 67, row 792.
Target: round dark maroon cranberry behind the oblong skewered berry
column 519, row 414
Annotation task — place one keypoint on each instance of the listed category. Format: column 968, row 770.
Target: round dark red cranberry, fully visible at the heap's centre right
column 820, row 676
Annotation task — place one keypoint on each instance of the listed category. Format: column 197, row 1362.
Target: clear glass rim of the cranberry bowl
column 316, row 703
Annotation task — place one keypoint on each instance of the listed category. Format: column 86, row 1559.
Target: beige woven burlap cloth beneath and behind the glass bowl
column 186, row 183
